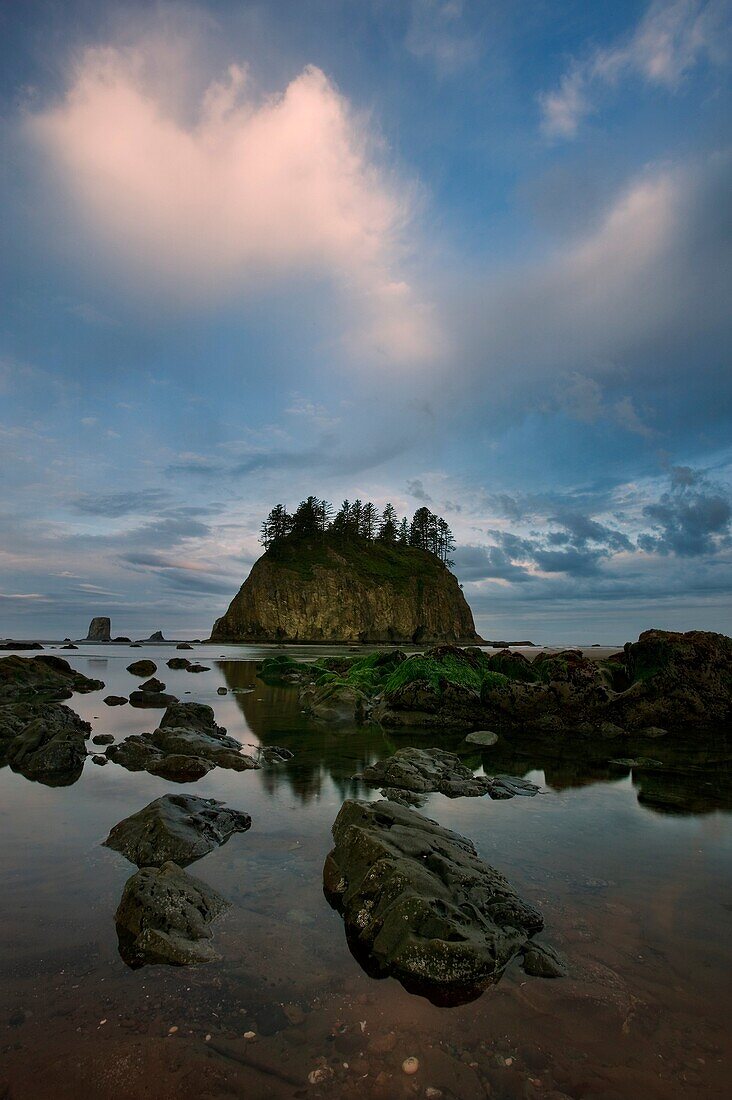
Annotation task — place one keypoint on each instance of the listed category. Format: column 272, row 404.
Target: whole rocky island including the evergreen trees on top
column 358, row 579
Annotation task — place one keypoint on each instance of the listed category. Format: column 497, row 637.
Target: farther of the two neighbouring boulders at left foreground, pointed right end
column 178, row 828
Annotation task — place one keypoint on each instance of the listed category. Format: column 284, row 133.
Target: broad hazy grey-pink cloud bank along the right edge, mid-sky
column 606, row 324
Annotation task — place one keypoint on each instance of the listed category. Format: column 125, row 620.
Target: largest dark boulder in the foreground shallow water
column 420, row 905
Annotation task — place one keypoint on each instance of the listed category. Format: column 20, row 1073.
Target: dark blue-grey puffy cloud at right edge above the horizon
column 693, row 519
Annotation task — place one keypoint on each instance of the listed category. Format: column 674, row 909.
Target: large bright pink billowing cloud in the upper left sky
column 252, row 189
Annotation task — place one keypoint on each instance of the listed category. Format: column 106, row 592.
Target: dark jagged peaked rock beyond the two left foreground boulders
column 185, row 746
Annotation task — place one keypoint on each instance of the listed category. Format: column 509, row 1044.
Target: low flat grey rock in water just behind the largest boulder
column 425, row 771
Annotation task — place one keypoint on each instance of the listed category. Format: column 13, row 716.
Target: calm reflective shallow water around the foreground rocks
column 632, row 873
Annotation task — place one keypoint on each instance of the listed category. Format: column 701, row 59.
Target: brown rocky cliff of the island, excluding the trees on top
column 357, row 592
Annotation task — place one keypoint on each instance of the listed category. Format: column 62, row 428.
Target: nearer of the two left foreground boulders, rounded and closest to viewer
column 165, row 916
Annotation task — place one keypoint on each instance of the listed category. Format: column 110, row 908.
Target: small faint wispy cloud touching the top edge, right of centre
column 438, row 34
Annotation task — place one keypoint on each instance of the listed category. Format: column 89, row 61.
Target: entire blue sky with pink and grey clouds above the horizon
column 466, row 254
